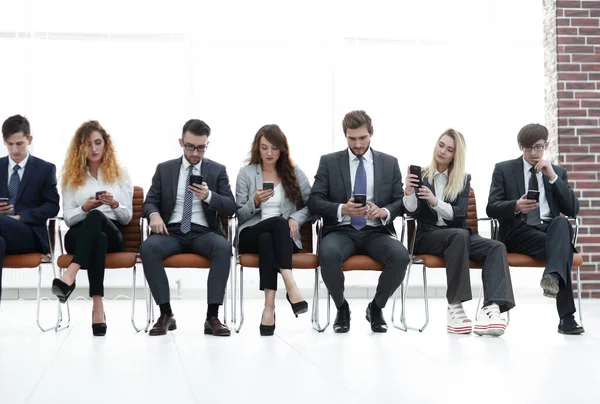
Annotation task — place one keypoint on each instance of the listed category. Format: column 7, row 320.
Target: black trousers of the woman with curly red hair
column 89, row 241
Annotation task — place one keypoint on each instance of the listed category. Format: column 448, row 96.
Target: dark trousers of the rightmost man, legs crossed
column 551, row 242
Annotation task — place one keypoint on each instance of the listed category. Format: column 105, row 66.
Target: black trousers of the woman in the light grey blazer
column 271, row 240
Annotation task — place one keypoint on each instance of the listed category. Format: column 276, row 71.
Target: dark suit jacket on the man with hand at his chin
column 508, row 185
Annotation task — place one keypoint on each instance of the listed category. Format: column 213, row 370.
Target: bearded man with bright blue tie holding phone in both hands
column 358, row 192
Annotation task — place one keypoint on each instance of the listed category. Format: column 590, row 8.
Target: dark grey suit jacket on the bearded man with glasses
column 162, row 195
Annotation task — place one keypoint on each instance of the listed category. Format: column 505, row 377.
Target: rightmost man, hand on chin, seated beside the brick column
column 535, row 226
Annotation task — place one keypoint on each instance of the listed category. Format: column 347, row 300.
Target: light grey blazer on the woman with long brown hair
column 249, row 180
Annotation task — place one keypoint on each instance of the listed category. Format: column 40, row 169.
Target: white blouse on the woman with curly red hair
column 122, row 191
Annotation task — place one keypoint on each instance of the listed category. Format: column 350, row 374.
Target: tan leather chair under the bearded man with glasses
column 190, row 260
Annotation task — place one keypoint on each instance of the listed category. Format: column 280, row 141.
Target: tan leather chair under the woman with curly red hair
column 128, row 258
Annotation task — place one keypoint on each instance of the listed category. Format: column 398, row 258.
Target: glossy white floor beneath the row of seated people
column 531, row 363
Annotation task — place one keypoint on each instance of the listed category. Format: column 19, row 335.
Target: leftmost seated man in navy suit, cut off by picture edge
column 28, row 194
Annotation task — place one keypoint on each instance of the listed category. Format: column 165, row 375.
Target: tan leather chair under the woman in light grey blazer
column 304, row 259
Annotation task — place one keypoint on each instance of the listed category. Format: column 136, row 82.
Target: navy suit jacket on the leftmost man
column 37, row 199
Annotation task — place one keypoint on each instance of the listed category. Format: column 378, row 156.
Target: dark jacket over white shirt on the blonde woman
column 428, row 217
